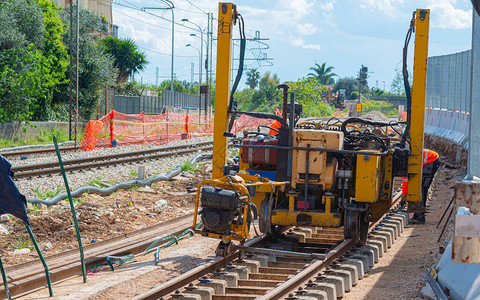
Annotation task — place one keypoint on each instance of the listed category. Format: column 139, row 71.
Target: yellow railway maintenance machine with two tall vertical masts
column 337, row 173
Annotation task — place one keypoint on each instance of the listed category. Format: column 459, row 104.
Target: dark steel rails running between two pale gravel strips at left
column 52, row 168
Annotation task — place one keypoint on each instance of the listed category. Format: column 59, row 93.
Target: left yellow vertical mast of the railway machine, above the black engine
column 222, row 86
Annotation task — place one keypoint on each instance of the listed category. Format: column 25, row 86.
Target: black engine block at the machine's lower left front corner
column 220, row 206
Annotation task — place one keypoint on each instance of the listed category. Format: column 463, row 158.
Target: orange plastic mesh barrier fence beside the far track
column 154, row 129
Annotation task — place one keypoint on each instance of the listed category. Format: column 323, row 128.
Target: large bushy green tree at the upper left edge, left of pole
column 30, row 45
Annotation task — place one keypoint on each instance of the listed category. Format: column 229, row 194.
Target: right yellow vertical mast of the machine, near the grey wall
column 415, row 163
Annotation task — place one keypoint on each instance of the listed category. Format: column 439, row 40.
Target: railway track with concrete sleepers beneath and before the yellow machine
column 286, row 268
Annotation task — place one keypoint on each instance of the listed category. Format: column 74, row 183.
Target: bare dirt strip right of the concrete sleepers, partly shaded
column 400, row 272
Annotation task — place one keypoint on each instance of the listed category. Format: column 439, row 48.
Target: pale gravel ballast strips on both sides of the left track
column 47, row 187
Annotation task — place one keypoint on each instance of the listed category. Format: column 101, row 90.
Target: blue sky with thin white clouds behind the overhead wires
column 343, row 33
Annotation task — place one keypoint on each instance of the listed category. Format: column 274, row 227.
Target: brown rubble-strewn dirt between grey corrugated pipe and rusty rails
column 99, row 218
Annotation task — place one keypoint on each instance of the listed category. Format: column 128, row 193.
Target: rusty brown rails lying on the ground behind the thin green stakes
column 27, row 277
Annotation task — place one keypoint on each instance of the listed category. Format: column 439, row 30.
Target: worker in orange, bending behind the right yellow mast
column 431, row 162
